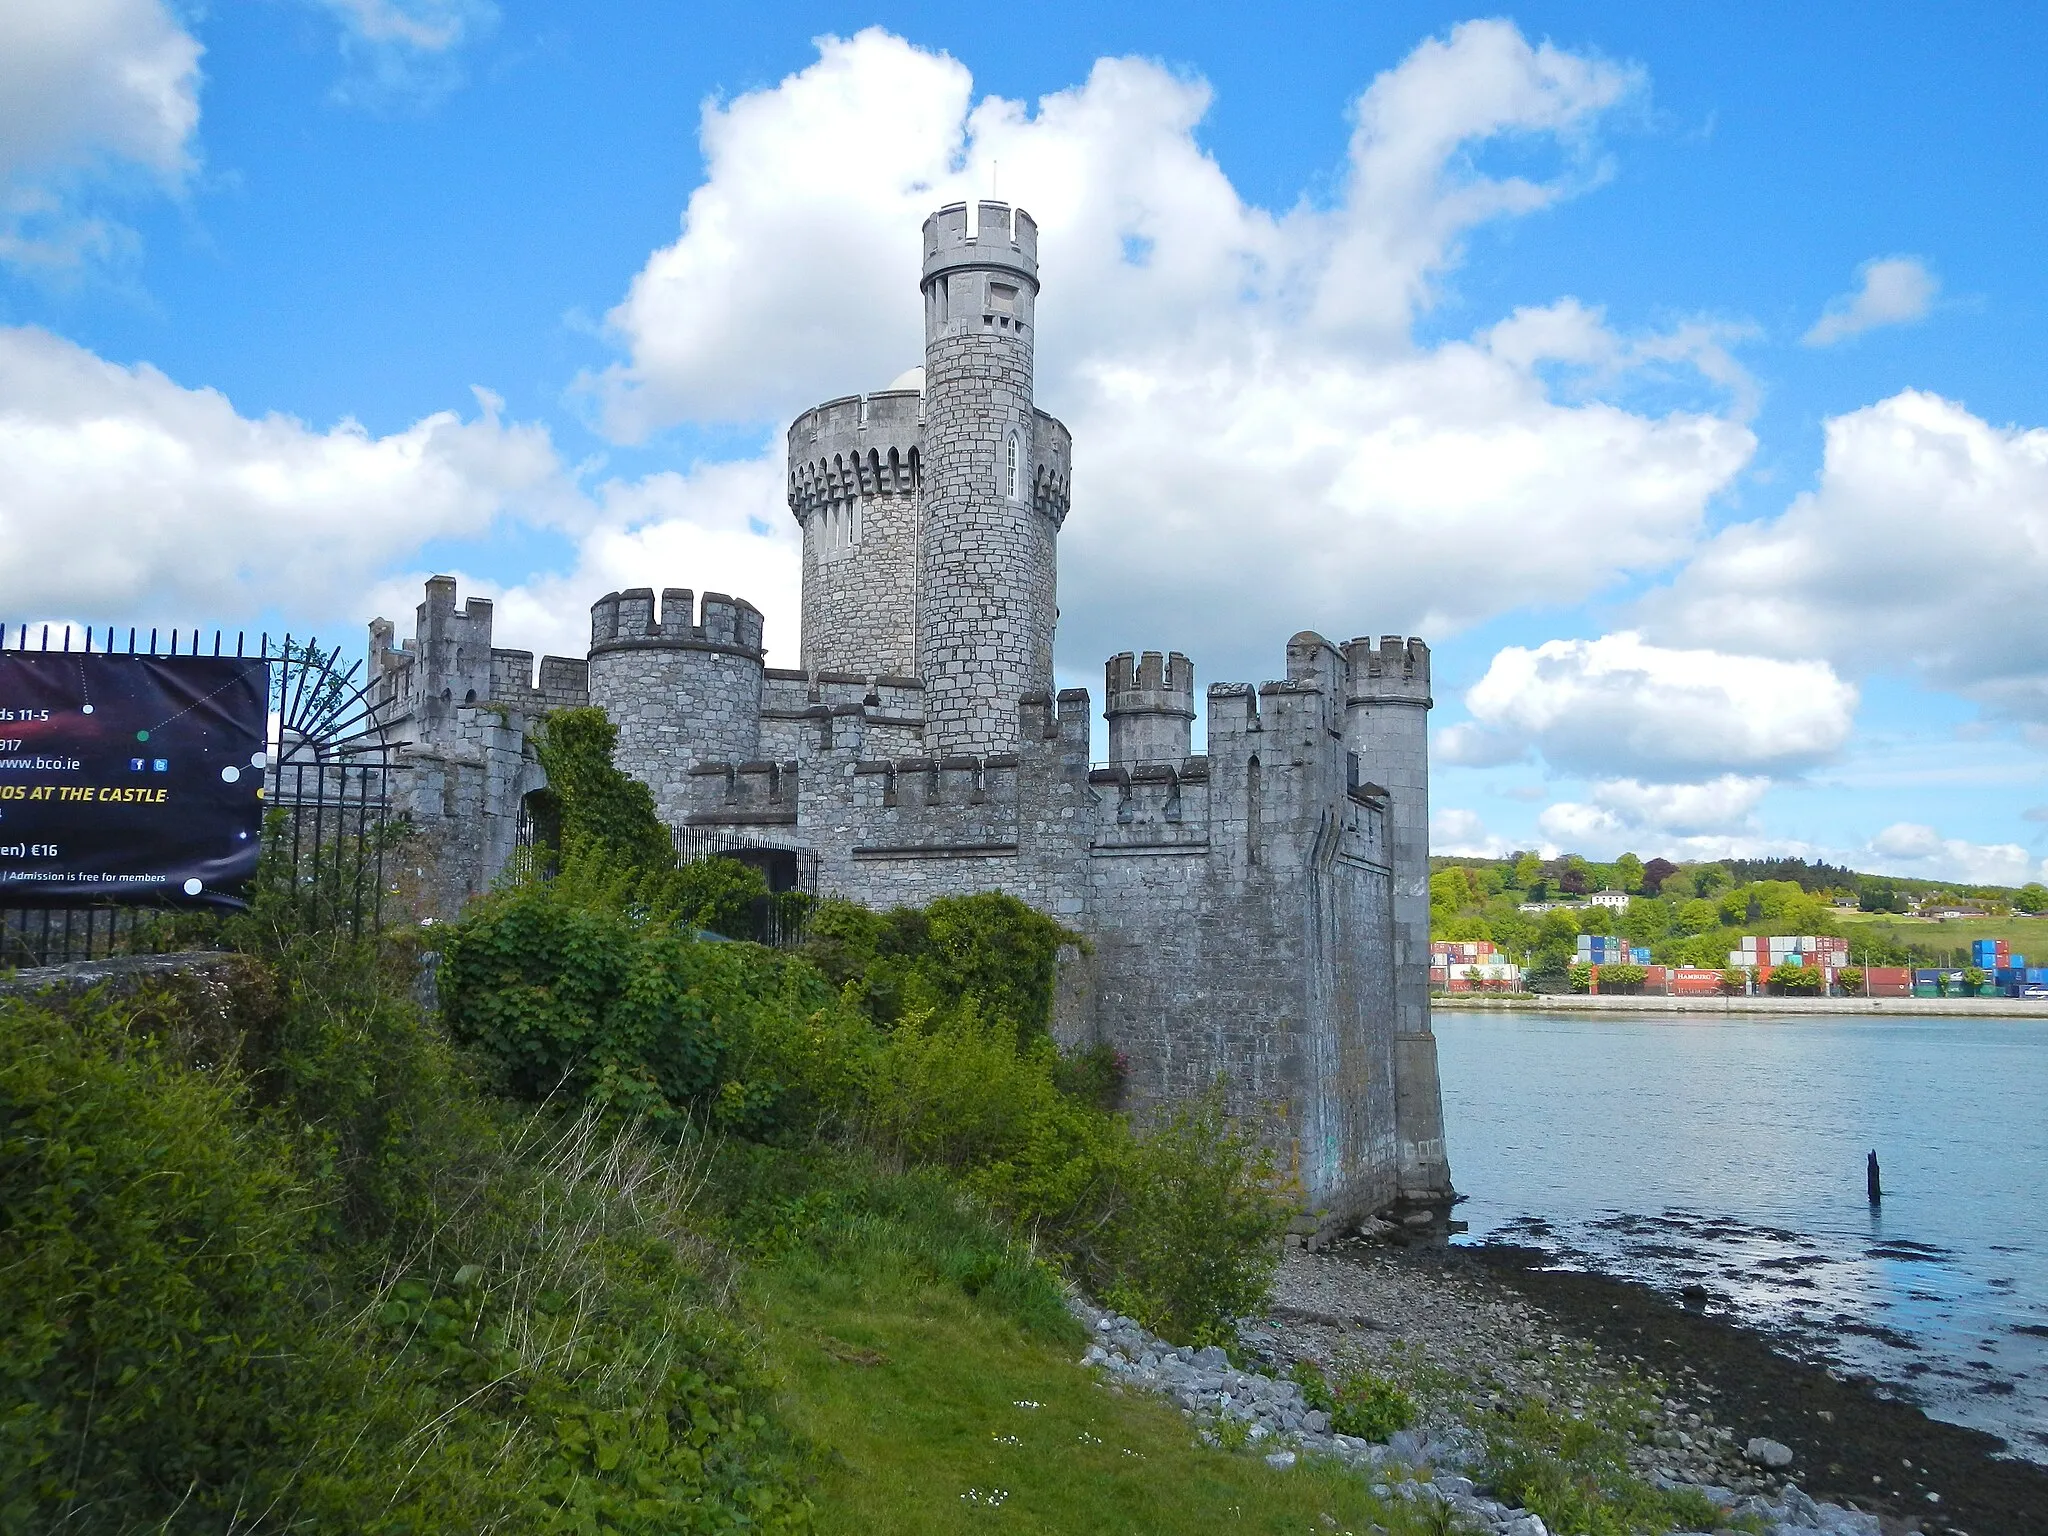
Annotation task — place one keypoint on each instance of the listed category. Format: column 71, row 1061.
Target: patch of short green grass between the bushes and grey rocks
column 941, row 1412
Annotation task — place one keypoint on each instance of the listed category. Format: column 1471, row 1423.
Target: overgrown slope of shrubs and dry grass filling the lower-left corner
column 275, row 1283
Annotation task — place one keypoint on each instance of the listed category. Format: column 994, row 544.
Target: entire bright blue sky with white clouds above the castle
column 1674, row 370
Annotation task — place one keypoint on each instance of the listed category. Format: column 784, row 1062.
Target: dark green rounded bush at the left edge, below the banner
column 155, row 1258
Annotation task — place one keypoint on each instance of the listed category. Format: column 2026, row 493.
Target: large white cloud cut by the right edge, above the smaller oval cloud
column 1924, row 552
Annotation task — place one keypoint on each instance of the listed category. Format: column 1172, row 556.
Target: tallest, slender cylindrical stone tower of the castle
column 996, row 482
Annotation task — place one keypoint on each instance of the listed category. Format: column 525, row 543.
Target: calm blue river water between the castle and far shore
column 1730, row 1154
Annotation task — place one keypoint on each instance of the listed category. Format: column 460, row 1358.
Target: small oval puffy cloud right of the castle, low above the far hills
column 1619, row 706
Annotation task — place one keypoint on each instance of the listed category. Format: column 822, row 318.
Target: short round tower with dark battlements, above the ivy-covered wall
column 679, row 693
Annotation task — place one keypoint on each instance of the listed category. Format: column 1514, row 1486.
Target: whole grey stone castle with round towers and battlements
column 1256, row 912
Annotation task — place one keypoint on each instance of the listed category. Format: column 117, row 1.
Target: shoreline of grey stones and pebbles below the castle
column 1474, row 1334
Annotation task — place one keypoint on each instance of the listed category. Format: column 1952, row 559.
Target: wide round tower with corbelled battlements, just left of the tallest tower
column 855, row 472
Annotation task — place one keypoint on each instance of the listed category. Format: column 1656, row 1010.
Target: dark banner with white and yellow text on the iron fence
column 130, row 777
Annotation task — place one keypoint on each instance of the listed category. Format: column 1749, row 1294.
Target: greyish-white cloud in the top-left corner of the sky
column 91, row 91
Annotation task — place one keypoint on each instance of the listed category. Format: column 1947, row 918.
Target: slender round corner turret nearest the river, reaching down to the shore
column 1388, row 730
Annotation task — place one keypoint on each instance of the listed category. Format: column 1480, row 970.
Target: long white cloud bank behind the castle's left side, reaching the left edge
column 204, row 515
